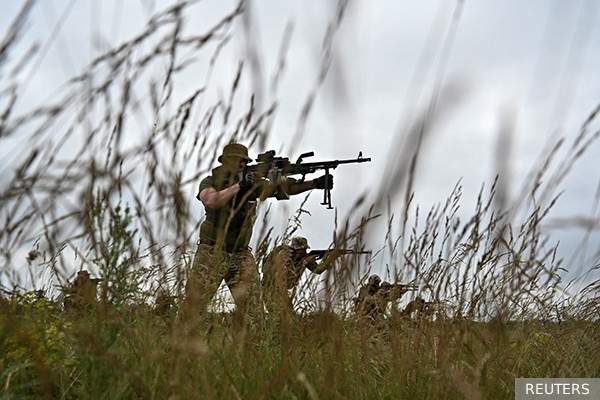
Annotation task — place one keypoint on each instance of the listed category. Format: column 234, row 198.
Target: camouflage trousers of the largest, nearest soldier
column 239, row 270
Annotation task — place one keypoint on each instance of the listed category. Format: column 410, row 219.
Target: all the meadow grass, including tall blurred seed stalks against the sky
column 91, row 192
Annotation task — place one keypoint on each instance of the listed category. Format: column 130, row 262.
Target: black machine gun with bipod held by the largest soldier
column 274, row 168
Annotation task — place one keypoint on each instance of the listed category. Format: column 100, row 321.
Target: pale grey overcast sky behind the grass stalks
column 530, row 67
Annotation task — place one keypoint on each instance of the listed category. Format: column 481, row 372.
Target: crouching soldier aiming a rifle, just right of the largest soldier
column 283, row 269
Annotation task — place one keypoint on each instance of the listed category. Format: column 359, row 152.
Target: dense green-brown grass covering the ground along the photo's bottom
column 119, row 353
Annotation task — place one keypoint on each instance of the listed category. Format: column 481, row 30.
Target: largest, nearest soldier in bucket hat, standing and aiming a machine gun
column 229, row 197
